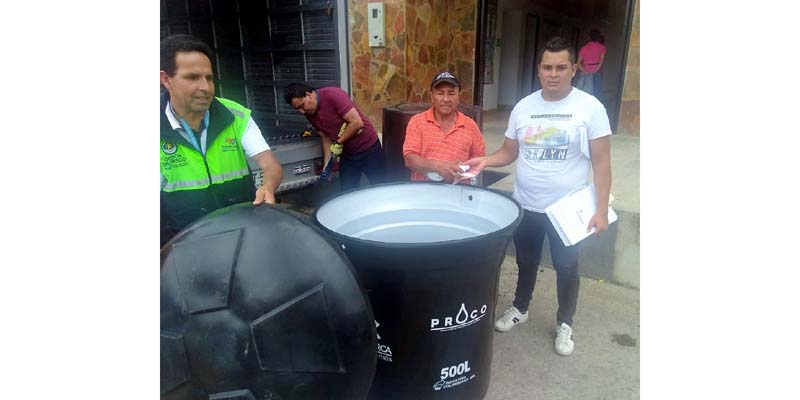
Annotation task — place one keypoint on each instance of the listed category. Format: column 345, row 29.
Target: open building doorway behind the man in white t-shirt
column 524, row 27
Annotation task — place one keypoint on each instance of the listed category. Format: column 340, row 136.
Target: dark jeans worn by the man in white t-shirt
column 528, row 241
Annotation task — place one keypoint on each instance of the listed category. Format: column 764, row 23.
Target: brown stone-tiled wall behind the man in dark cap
column 423, row 37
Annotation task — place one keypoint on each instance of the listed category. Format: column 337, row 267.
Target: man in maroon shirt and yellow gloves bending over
column 358, row 147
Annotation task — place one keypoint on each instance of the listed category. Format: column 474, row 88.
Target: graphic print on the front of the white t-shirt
column 546, row 141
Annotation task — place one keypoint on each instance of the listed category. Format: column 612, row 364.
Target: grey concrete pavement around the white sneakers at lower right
column 605, row 364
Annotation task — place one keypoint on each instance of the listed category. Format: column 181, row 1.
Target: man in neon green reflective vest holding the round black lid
column 204, row 141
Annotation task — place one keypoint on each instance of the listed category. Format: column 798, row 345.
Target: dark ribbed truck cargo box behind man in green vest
column 259, row 48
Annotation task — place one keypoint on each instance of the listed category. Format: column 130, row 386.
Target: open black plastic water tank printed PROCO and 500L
column 428, row 255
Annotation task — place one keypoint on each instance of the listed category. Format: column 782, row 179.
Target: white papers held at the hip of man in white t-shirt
column 570, row 215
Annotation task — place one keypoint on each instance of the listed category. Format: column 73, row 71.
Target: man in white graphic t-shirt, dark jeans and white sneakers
column 557, row 133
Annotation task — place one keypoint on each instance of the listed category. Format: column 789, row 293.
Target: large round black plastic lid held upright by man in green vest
column 258, row 304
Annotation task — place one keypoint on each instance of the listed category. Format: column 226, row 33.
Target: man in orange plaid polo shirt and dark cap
column 438, row 138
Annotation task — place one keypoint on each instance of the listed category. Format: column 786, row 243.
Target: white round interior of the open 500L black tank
column 417, row 213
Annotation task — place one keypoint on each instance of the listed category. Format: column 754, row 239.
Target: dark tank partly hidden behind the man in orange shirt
column 395, row 120
